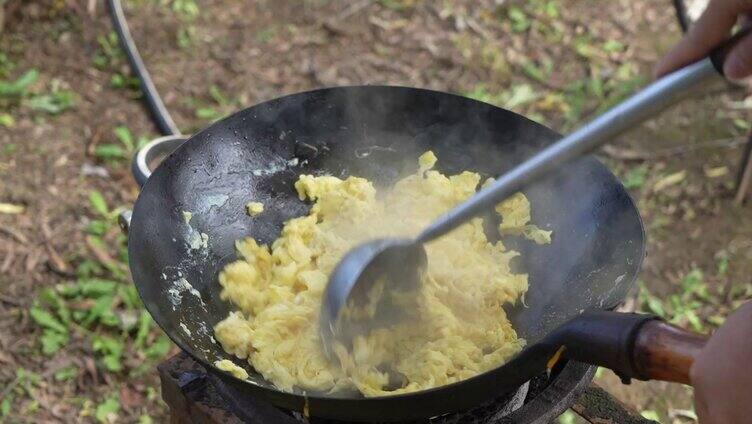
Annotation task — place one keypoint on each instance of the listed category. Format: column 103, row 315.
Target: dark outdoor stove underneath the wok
column 196, row 397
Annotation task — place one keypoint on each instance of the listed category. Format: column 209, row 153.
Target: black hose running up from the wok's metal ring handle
column 154, row 103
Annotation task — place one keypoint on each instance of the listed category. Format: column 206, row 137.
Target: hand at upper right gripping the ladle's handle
column 713, row 27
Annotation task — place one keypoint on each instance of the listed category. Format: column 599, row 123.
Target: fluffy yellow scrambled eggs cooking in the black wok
column 460, row 330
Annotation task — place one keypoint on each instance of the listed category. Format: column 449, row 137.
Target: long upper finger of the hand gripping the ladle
column 708, row 32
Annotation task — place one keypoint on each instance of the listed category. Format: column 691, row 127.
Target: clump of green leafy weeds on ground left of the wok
column 99, row 305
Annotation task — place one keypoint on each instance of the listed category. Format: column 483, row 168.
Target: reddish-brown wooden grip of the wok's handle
column 664, row 352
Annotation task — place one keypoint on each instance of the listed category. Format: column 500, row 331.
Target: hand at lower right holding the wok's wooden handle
column 721, row 373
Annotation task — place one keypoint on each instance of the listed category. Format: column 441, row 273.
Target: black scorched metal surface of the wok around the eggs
column 376, row 133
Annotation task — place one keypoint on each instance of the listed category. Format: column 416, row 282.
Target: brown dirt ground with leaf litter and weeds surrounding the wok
column 556, row 61
